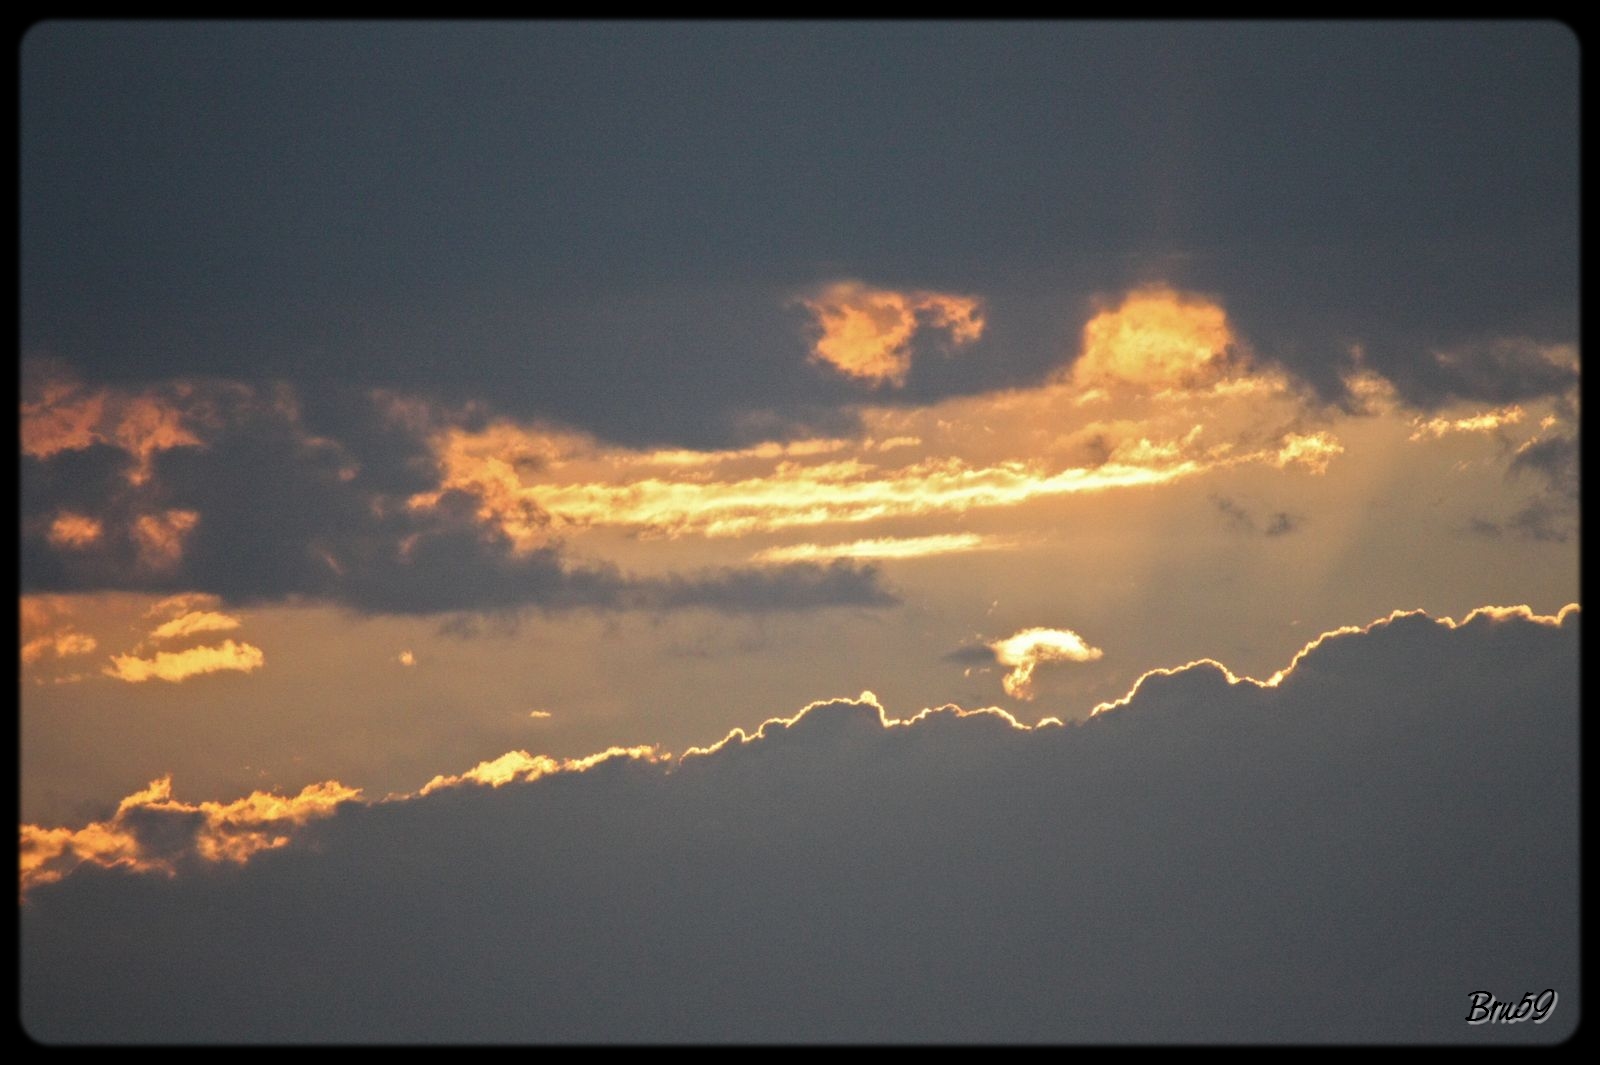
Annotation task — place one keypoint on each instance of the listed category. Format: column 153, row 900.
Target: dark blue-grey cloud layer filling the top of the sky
column 607, row 225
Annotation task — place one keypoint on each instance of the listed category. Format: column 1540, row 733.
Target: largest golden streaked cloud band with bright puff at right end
column 1162, row 393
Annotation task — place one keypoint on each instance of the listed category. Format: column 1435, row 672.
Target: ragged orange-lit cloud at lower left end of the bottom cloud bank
column 217, row 832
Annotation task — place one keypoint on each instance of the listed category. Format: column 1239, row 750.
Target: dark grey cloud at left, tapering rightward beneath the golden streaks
column 271, row 513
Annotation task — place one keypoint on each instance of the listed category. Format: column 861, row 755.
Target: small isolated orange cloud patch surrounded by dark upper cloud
column 868, row 332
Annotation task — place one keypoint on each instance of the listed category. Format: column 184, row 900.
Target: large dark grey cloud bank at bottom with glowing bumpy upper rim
column 1343, row 858
